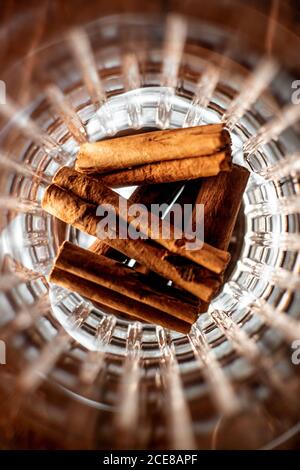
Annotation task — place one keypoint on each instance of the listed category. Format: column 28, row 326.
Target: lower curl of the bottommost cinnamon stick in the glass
column 117, row 301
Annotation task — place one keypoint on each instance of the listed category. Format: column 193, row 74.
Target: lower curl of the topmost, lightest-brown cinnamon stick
column 169, row 171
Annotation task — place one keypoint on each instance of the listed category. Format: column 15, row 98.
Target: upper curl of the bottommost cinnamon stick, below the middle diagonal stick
column 119, row 278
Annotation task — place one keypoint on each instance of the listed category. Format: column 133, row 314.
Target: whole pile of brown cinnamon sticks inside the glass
column 200, row 153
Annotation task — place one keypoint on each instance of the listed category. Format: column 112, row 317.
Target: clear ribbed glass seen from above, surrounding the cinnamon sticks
column 74, row 366
